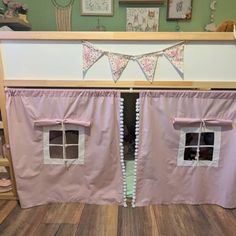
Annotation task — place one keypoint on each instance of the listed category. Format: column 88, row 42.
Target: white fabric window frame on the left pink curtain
column 81, row 144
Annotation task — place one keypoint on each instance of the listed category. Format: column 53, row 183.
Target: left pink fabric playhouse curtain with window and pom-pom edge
column 65, row 145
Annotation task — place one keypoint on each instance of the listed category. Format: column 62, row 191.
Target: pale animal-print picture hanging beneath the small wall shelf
column 142, row 19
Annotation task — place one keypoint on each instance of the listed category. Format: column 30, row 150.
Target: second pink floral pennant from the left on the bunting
column 118, row 63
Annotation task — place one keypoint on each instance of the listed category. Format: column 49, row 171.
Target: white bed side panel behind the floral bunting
column 62, row 60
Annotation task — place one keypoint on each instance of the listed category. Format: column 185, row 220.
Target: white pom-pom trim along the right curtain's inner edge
column 136, row 152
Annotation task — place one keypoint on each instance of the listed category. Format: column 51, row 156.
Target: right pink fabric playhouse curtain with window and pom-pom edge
column 186, row 148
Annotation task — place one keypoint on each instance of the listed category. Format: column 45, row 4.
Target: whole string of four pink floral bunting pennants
column 147, row 62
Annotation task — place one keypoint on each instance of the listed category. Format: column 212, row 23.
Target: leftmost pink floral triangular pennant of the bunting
column 90, row 56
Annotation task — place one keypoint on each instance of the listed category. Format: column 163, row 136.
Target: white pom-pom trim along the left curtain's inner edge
column 122, row 151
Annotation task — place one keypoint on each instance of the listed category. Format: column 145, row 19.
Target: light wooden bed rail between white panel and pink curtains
column 201, row 85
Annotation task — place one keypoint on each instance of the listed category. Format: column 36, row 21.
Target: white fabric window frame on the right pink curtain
column 216, row 146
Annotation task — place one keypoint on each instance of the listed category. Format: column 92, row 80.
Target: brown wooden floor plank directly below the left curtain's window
column 64, row 213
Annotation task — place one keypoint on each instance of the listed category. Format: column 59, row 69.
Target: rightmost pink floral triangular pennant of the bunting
column 175, row 55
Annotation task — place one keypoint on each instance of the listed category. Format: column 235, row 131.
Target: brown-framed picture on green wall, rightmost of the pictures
column 179, row 9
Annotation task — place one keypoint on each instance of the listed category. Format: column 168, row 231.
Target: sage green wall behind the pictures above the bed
column 42, row 16
